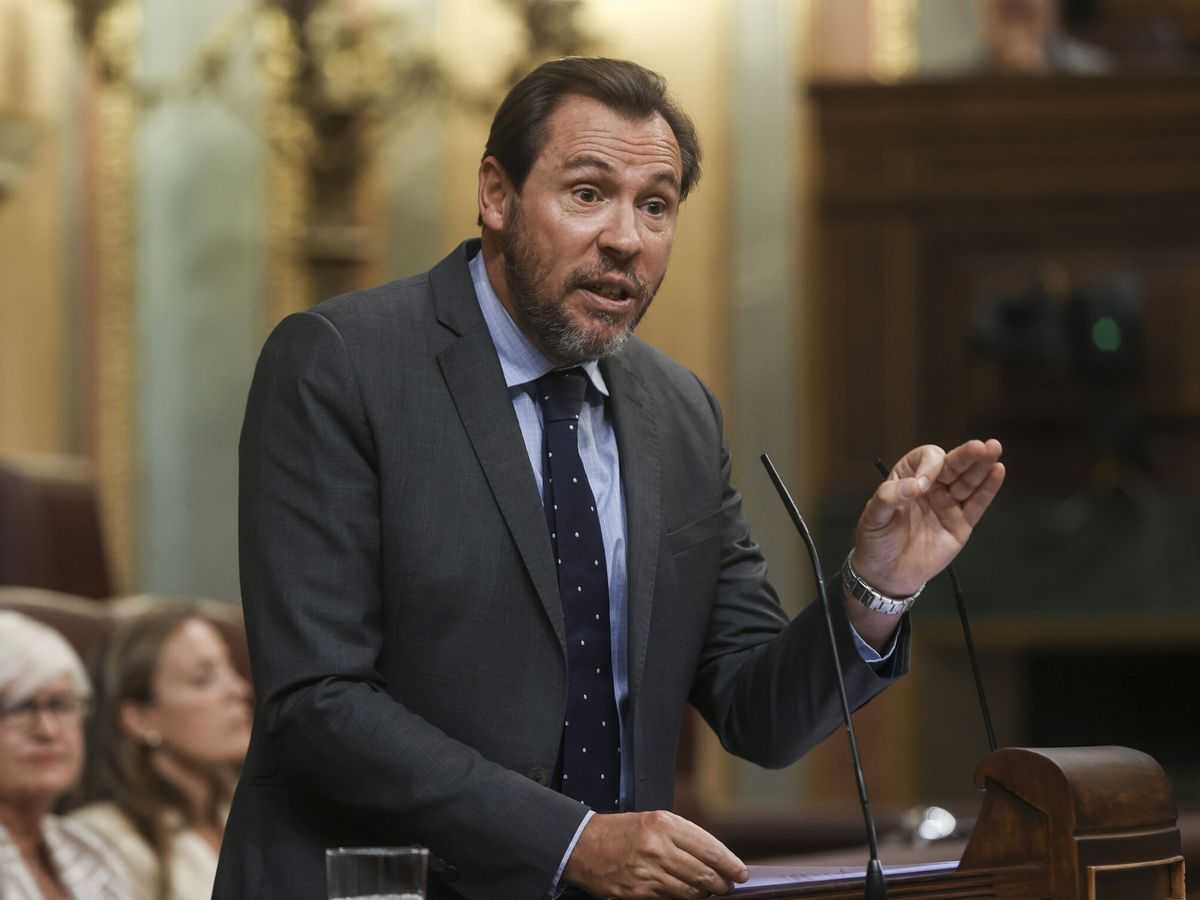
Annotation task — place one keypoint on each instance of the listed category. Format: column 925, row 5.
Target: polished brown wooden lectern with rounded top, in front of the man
column 1075, row 824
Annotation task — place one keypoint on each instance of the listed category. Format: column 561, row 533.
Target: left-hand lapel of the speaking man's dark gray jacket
column 473, row 375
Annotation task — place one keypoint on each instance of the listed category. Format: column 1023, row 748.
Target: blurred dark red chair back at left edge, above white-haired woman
column 51, row 532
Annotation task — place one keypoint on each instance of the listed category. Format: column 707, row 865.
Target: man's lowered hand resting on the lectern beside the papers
column 651, row 855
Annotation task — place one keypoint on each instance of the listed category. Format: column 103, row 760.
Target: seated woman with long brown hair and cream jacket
column 170, row 734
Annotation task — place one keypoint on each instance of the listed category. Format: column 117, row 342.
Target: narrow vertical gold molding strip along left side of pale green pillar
column 113, row 237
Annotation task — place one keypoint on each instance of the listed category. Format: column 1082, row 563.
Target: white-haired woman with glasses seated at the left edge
column 44, row 700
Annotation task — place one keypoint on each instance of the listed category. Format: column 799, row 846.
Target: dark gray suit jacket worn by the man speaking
column 403, row 608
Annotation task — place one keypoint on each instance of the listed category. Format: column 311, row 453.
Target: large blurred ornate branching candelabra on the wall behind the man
column 339, row 82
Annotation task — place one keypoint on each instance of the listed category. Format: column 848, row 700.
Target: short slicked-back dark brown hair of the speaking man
column 519, row 130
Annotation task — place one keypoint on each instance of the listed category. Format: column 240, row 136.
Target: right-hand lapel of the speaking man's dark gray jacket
column 635, row 421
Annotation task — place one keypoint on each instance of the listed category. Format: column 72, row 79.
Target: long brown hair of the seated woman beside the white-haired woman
column 119, row 767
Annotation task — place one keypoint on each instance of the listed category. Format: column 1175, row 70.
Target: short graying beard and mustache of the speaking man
column 547, row 317
